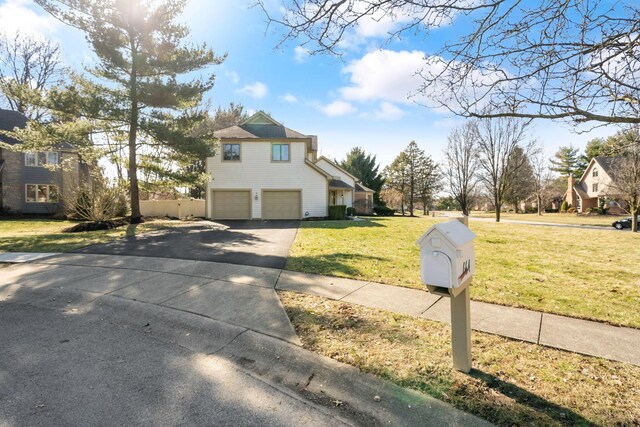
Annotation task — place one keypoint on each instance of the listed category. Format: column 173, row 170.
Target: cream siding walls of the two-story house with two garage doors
column 257, row 172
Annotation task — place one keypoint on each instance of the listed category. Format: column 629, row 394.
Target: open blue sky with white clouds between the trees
column 357, row 100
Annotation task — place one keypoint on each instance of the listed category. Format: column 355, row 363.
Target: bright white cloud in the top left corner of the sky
column 17, row 16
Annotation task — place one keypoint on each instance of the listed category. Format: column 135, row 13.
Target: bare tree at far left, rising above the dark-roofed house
column 27, row 67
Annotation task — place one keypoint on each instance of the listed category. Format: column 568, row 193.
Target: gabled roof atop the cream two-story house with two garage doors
column 259, row 126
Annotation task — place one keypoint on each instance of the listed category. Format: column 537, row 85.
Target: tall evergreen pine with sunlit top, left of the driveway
column 136, row 86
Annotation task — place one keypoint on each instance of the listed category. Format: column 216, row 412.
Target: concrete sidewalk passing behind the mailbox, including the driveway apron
column 202, row 287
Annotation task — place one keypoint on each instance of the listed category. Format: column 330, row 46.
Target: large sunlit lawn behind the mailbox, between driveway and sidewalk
column 591, row 274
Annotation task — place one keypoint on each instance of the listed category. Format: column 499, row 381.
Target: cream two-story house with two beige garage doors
column 264, row 170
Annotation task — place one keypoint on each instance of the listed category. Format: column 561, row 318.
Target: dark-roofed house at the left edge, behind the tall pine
column 33, row 183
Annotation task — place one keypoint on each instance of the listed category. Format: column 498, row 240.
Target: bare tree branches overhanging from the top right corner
column 575, row 59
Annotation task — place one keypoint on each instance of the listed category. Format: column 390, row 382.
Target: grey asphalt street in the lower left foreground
column 73, row 369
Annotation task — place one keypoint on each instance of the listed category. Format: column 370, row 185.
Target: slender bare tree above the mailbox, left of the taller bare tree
column 462, row 164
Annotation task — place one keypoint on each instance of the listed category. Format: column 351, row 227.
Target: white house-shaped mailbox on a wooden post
column 447, row 263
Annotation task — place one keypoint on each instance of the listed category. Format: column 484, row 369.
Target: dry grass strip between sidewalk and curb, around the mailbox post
column 512, row 383
